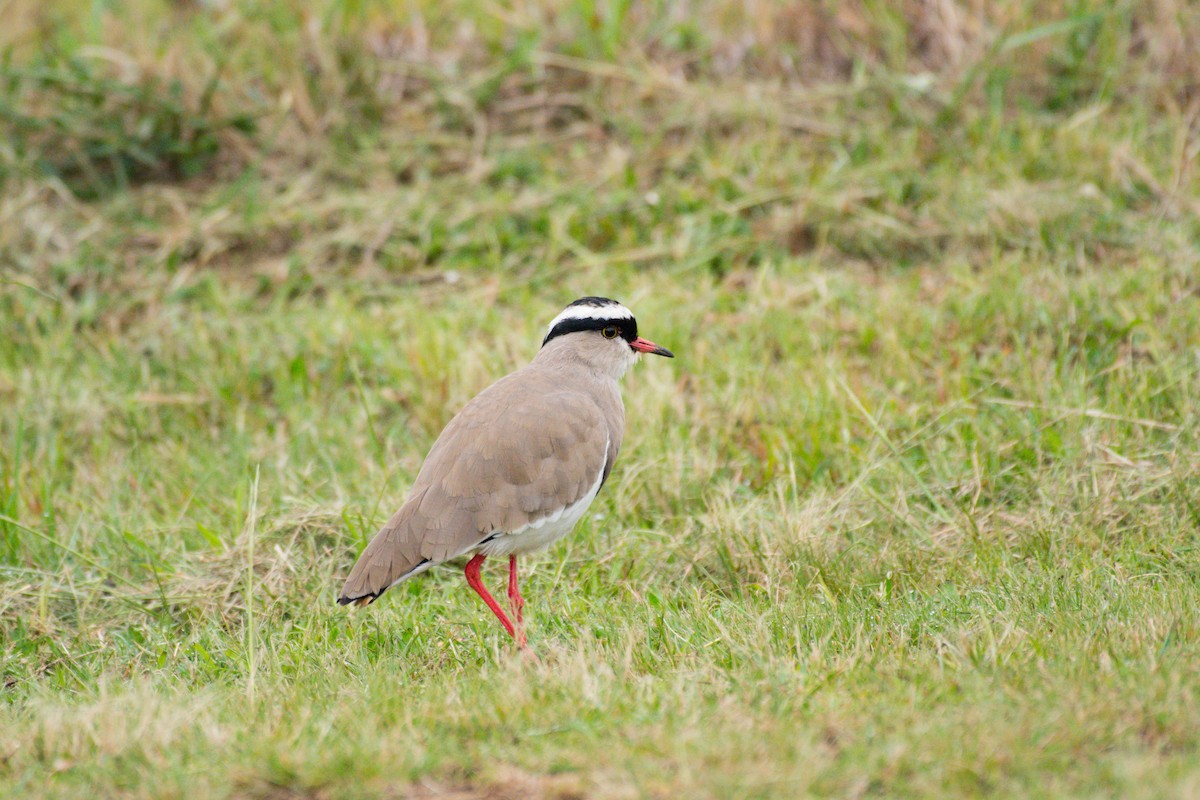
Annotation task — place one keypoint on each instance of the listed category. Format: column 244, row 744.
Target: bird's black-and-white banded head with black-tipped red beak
column 601, row 333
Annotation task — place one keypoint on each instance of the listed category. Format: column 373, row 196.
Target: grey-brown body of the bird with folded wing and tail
column 519, row 452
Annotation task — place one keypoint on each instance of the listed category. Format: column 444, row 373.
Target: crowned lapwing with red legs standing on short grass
column 519, row 466
